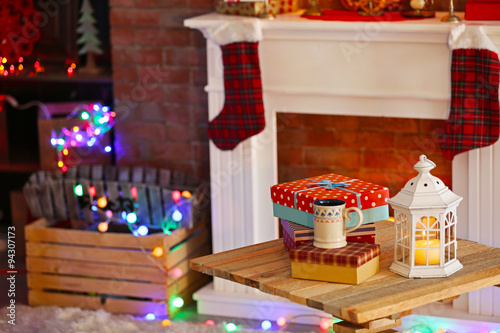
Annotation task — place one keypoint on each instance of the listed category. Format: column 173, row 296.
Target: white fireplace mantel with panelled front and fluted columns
column 379, row 69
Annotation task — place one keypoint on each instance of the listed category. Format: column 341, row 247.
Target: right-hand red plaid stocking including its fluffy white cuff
column 474, row 119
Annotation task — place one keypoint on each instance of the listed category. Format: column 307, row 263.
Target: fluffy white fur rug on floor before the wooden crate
column 53, row 319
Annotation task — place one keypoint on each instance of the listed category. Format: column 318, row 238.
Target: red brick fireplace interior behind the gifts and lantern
column 379, row 150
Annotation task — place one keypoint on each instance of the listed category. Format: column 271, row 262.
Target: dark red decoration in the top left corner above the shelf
column 19, row 28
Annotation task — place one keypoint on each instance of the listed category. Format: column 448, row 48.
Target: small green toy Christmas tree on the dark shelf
column 89, row 38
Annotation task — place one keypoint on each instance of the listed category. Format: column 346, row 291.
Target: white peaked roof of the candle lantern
column 425, row 191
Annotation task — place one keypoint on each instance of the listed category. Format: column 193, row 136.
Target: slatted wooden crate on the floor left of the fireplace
column 112, row 271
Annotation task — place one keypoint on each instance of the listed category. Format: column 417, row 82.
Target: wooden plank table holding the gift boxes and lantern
column 373, row 306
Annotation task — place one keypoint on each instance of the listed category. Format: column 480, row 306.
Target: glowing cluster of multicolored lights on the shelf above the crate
column 97, row 120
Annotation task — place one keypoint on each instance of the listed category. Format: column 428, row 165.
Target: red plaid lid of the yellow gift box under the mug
column 351, row 255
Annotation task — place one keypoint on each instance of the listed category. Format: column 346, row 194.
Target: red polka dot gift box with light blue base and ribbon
column 293, row 201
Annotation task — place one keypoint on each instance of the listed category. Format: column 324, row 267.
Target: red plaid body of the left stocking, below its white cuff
column 243, row 112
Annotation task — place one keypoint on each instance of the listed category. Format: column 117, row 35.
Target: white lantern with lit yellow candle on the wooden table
column 425, row 216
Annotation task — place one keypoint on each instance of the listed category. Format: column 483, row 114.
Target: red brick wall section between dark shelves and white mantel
column 159, row 72
